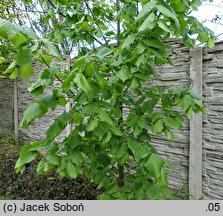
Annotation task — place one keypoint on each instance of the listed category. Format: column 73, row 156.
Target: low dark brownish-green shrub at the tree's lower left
column 29, row 185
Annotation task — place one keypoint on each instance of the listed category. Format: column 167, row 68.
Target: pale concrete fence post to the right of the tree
column 195, row 160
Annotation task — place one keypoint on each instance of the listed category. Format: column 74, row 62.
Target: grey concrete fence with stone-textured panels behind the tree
column 197, row 153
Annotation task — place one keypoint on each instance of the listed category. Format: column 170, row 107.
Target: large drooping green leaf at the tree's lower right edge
column 154, row 165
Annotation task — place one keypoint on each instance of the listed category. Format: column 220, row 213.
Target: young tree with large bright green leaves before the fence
column 119, row 44
